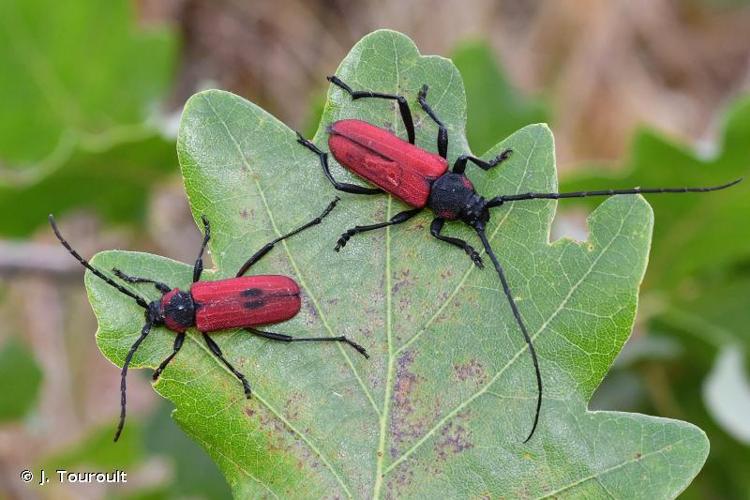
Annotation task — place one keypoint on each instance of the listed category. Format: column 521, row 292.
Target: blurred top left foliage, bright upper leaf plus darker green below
column 72, row 132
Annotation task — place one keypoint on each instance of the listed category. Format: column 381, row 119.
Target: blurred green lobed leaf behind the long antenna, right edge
column 695, row 235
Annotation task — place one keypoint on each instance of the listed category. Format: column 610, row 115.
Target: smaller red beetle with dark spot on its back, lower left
column 239, row 302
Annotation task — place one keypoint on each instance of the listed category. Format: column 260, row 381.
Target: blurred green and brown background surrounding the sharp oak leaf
column 648, row 92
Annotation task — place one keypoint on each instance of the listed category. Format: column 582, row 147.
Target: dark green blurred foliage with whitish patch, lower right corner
column 708, row 325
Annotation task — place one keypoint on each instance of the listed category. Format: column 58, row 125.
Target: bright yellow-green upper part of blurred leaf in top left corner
column 57, row 100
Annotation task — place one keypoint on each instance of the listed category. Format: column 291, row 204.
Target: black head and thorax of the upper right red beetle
column 453, row 197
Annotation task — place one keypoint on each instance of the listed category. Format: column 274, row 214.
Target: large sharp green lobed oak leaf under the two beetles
column 444, row 403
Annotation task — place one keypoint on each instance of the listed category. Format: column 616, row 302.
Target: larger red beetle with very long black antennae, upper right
column 422, row 180
